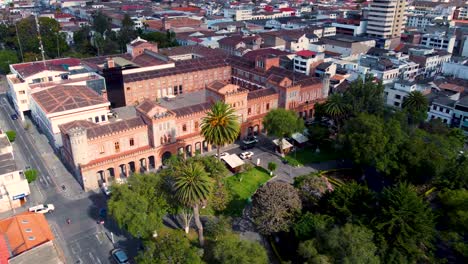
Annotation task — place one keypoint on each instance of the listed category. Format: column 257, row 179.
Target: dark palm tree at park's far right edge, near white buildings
column 416, row 105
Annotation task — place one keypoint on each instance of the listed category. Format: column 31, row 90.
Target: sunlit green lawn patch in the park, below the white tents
column 242, row 186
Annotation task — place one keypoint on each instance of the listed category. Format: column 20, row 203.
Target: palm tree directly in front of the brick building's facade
column 221, row 125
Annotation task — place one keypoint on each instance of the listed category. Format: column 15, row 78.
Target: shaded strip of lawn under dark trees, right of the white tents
column 308, row 155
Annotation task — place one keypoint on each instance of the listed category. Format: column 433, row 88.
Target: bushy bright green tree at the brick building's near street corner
column 138, row 206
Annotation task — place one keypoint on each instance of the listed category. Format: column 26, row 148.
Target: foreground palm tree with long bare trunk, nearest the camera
column 192, row 188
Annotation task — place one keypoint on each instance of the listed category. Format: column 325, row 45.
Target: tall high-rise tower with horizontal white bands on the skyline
column 386, row 20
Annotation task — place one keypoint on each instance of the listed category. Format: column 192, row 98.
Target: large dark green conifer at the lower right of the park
column 404, row 224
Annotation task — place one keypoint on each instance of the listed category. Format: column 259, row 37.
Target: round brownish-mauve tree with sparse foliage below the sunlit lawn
column 275, row 205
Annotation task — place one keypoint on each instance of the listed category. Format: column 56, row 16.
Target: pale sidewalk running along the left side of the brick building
column 59, row 174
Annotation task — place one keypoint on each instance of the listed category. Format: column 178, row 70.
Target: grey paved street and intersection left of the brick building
column 84, row 240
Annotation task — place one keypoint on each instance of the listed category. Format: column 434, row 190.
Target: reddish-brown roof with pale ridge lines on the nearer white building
column 63, row 98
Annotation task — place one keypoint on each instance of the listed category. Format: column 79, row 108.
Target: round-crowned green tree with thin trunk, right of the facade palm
column 282, row 123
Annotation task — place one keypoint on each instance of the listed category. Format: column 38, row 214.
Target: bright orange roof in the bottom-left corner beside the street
column 25, row 231
